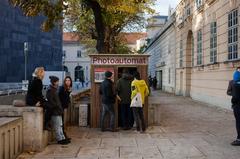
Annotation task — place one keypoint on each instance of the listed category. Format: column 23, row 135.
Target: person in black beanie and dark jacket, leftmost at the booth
column 108, row 100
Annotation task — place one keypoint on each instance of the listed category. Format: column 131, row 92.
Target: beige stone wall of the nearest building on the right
column 206, row 82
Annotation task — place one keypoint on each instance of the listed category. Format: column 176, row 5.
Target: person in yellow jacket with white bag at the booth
column 139, row 87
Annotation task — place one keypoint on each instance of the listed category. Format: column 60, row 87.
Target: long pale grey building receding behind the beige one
column 162, row 56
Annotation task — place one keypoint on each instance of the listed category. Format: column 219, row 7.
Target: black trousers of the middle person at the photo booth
column 126, row 116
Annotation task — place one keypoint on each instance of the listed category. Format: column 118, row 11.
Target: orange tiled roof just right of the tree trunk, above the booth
column 131, row 38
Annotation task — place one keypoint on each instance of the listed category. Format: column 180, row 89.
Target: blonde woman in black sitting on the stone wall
column 34, row 93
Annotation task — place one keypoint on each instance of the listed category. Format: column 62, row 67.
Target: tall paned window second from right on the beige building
column 213, row 42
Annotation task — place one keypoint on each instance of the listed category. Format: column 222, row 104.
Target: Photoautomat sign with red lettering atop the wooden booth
column 119, row 60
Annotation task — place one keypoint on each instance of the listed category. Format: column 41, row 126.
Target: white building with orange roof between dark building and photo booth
column 76, row 60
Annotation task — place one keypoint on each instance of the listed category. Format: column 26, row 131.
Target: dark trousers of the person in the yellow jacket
column 139, row 118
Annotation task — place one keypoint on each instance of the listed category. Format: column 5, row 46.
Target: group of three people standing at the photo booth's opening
column 130, row 93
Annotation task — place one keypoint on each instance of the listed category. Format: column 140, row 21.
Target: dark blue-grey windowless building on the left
column 45, row 49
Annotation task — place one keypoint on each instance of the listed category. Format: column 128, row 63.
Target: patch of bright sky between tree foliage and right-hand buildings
column 161, row 6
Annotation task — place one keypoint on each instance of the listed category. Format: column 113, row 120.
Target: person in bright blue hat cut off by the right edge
column 234, row 91
